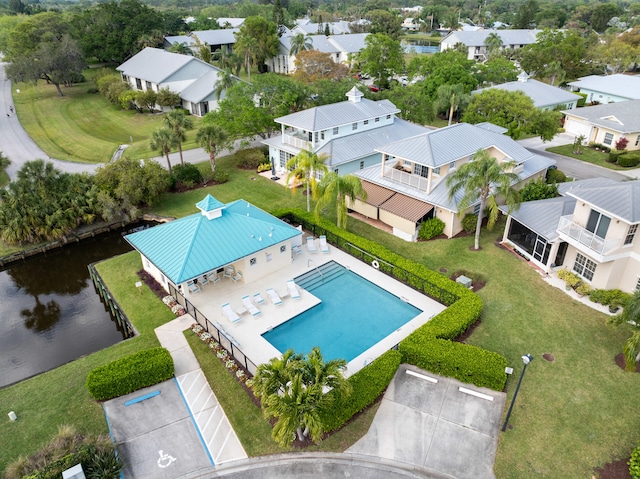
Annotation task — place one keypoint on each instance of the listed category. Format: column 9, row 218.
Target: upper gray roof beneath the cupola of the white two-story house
column 337, row 114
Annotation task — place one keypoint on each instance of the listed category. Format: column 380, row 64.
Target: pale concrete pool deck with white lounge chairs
column 247, row 332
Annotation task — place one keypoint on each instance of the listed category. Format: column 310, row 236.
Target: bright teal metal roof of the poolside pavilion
column 194, row 245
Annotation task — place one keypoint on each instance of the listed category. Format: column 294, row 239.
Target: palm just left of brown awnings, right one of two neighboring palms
column 337, row 188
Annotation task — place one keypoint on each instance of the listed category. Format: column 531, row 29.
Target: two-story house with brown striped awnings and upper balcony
column 408, row 185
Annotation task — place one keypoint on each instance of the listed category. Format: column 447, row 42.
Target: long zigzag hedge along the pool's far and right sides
column 460, row 361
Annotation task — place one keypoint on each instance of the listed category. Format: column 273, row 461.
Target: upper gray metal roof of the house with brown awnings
column 444, row 145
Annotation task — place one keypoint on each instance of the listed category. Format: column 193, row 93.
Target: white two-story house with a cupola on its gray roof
column 347, row 132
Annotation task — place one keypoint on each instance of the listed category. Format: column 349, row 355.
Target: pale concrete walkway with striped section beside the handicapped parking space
column 212, row 423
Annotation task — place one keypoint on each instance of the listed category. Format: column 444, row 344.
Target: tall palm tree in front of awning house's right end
column 484, row 178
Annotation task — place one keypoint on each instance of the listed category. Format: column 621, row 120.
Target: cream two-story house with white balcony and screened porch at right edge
column 590, row 230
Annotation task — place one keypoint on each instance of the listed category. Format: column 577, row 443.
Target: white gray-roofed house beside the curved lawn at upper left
column 189, row 77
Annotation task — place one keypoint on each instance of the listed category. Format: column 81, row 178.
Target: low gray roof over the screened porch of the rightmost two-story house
column 543, row 216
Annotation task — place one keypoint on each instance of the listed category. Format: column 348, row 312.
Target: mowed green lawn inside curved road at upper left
column 82, row 126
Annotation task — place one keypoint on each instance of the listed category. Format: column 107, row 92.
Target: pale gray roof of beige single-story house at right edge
column 623, row 116
